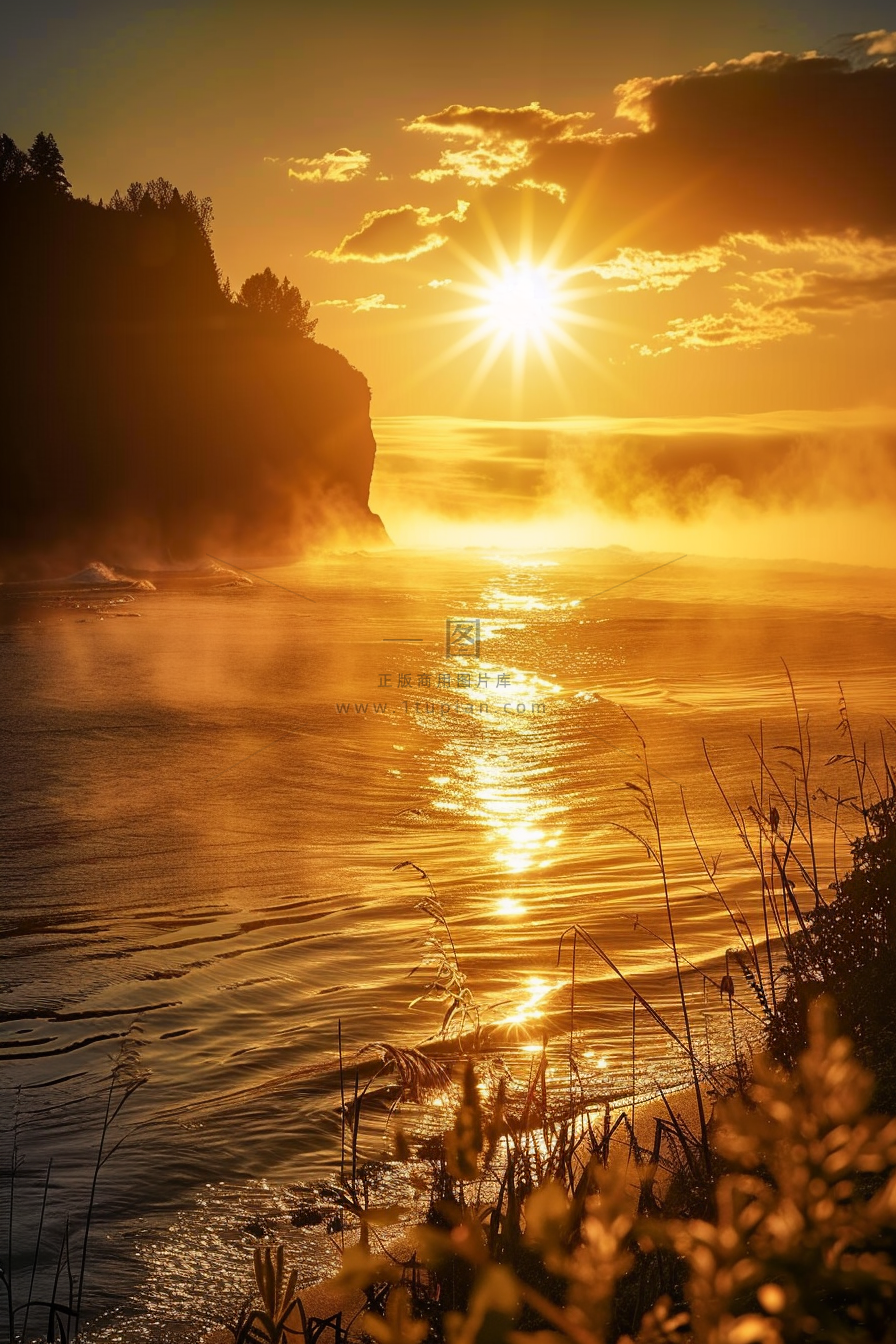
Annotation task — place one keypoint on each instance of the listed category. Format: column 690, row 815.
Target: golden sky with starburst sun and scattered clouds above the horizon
column 607, row 213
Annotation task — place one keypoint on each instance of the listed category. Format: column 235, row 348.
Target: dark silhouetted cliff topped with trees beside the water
column 144, row 413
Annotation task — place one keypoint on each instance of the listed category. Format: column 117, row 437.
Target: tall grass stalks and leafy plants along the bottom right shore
column 776, row 1221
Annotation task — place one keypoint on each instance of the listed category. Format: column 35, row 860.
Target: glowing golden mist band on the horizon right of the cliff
column 812, row 485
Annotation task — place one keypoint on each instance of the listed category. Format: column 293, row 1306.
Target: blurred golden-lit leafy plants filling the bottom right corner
column 801, row 1245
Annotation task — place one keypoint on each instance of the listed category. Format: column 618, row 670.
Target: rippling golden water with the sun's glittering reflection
column 210, row 790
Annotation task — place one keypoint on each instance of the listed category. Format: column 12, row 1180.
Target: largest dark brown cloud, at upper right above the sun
column 769, row 144
